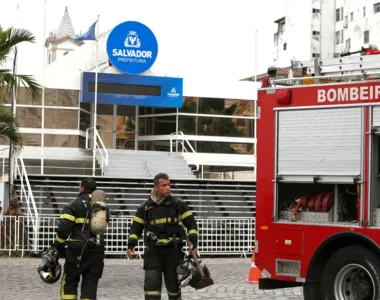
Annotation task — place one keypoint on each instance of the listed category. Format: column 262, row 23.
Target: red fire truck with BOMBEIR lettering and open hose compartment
column 318, row 179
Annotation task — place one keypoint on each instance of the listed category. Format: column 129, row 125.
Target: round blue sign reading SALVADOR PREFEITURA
column 132, row 47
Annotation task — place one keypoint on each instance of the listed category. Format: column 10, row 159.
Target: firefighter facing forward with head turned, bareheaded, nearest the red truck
column 159, row 218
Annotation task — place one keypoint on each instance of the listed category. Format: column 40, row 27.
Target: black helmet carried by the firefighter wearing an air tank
column 50, row 268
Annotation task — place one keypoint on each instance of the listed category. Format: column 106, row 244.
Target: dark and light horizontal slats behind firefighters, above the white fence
column 207, row 198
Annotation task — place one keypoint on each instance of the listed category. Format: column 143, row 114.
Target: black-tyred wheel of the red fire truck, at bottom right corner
column 352, row 273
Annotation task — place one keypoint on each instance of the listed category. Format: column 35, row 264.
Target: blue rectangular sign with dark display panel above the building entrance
column 133, row 90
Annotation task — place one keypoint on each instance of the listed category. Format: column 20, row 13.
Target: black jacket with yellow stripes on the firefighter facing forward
column 161, row 222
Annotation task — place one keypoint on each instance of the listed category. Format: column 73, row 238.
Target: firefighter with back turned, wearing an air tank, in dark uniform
column 83, row 257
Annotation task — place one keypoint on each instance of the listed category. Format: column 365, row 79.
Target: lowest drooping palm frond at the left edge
column 9, row 129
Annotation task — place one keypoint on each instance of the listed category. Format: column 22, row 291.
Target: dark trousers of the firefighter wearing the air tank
column 91, row 270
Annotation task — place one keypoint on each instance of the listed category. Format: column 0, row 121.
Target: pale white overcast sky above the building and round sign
column 196, row 38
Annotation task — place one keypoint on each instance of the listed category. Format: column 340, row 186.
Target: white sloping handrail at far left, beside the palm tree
column 28, row 194
